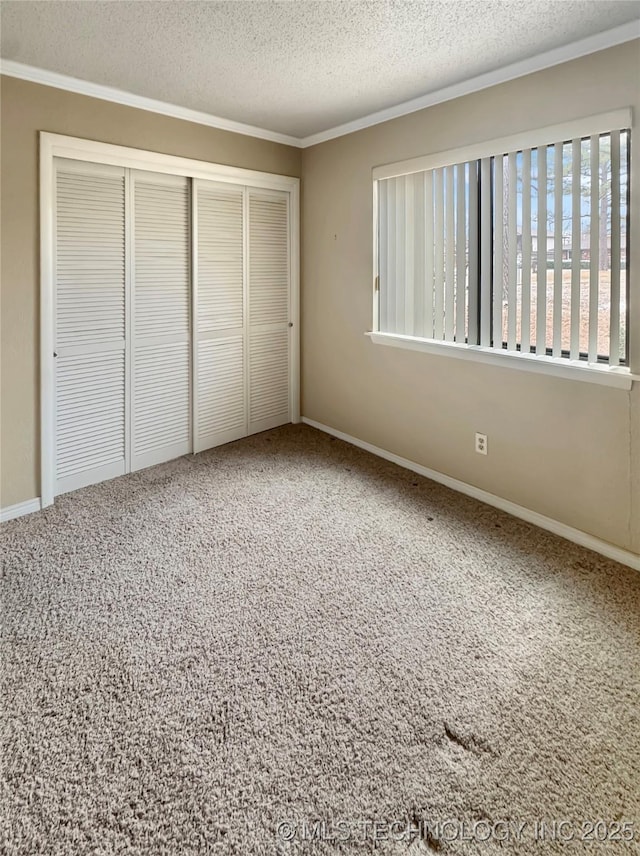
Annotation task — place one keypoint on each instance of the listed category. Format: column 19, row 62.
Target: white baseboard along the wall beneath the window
column 625, row 557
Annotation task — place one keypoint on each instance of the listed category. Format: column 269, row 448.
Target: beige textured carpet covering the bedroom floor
column 266, row 648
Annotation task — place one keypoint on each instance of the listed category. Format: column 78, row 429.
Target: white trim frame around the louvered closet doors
column 75, row 148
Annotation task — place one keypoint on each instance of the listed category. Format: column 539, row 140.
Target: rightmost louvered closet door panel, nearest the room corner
column 268, row 309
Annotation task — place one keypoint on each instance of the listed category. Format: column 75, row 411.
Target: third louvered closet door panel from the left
column 220, row 407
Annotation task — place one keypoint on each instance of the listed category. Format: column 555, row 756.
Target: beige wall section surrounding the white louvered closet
column 26, row 109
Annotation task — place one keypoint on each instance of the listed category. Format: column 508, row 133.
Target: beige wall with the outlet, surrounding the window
column 566, row 449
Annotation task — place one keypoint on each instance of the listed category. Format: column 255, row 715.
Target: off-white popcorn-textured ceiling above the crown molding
column 293, row 67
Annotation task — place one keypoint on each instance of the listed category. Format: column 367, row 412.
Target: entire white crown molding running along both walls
column 574, row 50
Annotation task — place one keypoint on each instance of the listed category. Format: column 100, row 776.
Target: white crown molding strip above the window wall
column 574, row 50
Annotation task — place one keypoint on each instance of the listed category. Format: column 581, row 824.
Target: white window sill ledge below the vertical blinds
column 621, row 377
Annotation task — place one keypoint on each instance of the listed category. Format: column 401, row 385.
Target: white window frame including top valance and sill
column 596, row 372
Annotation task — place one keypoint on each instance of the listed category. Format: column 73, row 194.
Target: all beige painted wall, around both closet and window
column 566, row 449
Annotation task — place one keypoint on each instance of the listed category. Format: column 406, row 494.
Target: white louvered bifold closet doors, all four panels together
column 172, row 316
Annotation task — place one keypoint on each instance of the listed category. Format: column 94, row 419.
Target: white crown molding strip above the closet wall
column 129, row 99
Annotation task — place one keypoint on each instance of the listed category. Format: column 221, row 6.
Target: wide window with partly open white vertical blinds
column 516, row 247
